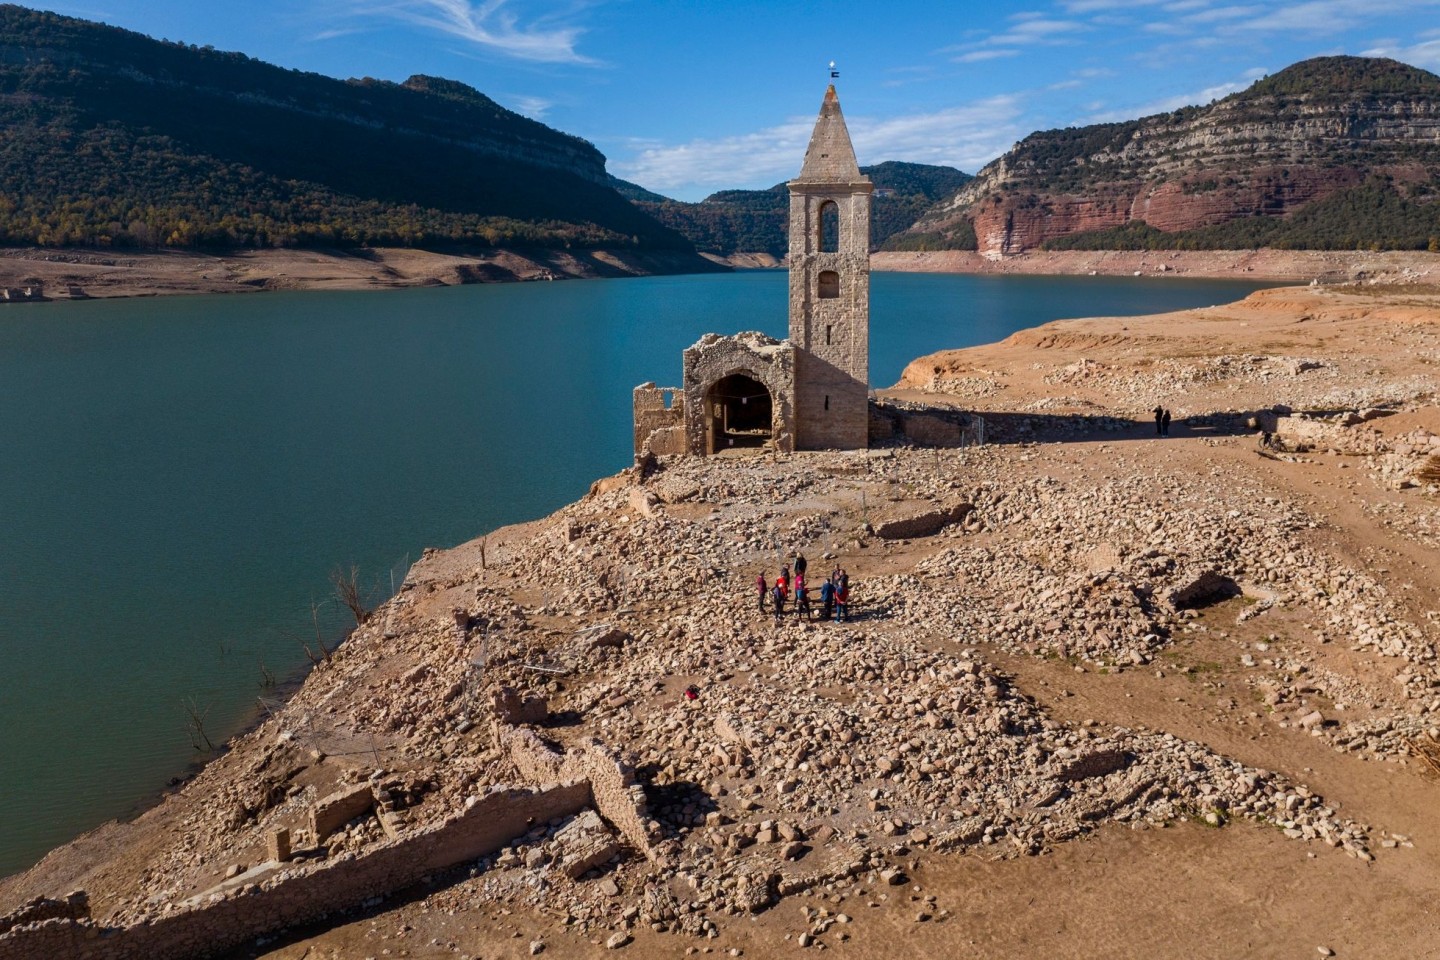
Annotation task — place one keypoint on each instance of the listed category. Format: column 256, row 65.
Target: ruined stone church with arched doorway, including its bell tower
column 809, row 392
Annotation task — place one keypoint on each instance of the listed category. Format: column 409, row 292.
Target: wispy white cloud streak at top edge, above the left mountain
column 489, row 24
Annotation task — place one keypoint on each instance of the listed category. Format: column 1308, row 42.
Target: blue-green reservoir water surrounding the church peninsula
column 181, row 476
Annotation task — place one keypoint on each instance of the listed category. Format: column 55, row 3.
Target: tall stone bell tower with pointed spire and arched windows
column 830, row 290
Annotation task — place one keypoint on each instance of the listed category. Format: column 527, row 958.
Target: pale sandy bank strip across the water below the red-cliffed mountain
column 1272, row 266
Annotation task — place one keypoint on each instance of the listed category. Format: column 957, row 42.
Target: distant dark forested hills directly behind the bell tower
column 755, row 221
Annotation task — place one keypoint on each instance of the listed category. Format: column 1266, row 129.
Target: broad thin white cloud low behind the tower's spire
column 967, row 137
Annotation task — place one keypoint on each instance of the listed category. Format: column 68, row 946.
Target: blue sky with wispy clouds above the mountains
column 688, row 99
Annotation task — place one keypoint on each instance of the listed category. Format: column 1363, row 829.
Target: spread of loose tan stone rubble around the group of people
column 823, row 753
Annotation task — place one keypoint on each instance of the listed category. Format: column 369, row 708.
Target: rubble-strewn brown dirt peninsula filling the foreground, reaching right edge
column 1278, row 726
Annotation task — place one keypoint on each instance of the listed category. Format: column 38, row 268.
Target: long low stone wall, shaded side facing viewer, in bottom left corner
column 303, row 895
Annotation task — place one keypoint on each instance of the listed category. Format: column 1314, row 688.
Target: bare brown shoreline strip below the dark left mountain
column 90, row 274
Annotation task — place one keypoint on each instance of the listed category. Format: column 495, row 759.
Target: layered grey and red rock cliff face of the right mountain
column 1285, row 143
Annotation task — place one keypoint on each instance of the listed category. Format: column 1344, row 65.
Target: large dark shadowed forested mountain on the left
column 114, row 139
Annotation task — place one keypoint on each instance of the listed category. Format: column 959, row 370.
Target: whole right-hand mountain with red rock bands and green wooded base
column 1354, row 142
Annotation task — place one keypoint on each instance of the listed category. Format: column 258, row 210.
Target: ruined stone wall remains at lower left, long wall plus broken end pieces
column 286, row 895
